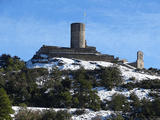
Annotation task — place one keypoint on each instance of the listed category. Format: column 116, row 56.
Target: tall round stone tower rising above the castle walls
column 78, row 35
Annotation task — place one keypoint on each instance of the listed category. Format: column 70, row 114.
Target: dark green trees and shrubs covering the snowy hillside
column 40, row 88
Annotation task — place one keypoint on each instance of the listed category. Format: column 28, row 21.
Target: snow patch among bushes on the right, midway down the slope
column 107, row 94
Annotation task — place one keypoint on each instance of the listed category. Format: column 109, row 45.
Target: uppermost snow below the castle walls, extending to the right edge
column 73, row 64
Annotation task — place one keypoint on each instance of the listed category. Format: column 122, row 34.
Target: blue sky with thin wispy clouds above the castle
column 116, row 27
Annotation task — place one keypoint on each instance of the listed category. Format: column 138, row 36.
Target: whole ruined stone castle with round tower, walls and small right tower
column 80, row 50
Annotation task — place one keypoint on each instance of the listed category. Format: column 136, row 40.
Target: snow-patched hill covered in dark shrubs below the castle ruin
column 53, row 84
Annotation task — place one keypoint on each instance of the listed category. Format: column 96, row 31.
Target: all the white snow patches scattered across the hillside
column 103, row 93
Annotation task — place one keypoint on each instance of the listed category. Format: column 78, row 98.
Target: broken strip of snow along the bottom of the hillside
column 88, row 115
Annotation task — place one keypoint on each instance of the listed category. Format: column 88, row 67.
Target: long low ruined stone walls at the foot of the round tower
column 88, row 54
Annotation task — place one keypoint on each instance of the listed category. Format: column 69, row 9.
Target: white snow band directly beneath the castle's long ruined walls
column 68, row 64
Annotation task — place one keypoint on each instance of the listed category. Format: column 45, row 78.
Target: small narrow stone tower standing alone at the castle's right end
column 140, row 62
